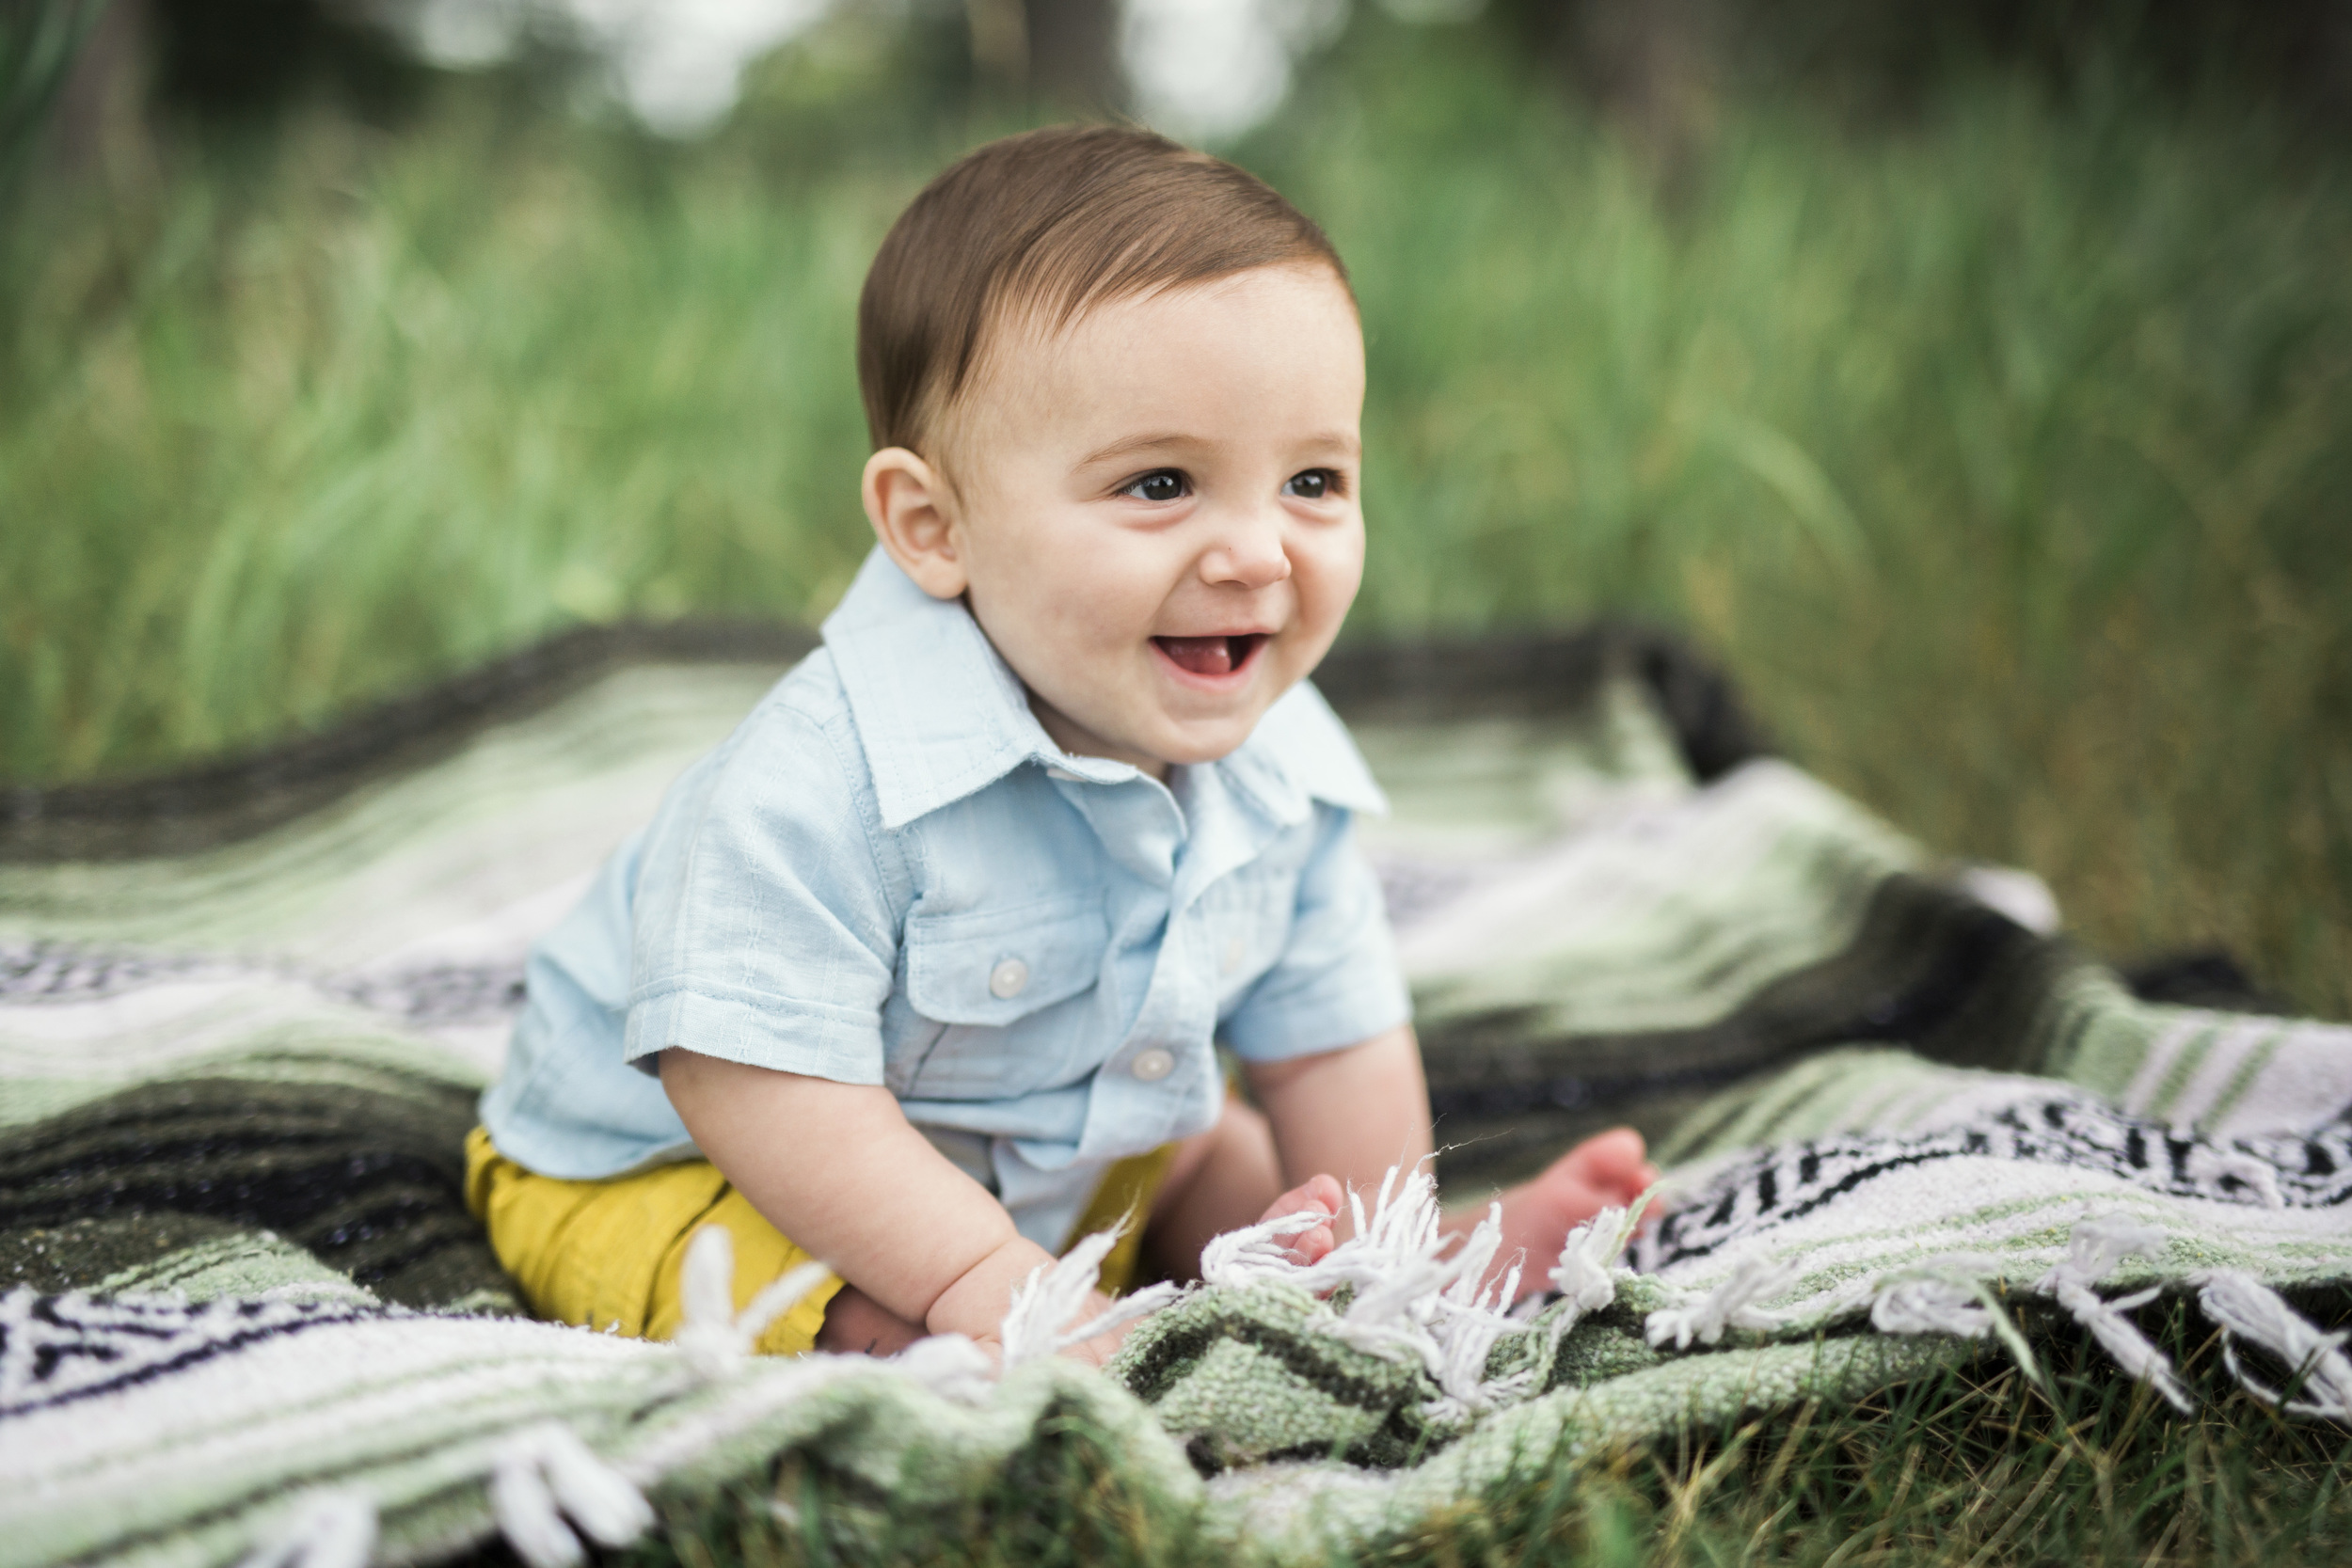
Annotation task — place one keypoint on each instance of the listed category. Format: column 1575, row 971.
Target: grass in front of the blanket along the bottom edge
column 1972, row 1468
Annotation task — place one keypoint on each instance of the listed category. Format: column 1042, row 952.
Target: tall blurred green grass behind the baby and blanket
column 2003, row 450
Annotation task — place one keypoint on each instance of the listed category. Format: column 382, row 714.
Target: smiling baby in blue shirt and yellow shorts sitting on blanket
column 923, row 970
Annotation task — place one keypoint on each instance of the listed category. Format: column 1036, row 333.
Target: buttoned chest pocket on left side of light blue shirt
column 996, row 967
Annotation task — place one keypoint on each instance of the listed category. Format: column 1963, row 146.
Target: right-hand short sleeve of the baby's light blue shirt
column 1337, row 981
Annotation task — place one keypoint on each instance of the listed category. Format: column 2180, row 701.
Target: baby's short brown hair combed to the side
column 1048, row 225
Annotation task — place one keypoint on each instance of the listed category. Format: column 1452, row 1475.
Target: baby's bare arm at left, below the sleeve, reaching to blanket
column 857, row 1186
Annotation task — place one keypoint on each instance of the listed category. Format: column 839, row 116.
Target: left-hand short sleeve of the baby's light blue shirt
column 763, row 930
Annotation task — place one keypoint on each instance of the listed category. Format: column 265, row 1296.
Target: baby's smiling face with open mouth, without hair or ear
column 1158, row 514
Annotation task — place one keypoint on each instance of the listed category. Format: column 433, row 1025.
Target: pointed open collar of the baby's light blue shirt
column 942, row 716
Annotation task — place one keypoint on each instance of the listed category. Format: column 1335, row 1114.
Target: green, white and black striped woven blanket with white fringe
column 243, row 1017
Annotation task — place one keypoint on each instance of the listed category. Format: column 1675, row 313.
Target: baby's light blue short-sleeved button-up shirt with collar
column 893, row 876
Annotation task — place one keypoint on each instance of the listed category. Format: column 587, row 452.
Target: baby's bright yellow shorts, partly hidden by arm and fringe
column 610, row 1254
